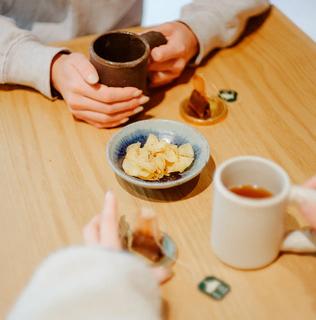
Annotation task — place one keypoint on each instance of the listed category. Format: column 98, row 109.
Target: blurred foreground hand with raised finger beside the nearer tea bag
column 103, row 230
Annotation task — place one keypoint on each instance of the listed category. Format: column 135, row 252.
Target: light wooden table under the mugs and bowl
column 54, row 173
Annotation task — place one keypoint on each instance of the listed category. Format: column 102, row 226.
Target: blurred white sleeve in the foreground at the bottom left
column 89, row 283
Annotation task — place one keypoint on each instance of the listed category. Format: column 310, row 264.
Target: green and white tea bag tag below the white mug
column 214, row 287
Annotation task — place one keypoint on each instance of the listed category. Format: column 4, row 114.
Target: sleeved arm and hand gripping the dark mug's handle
column 204, row 25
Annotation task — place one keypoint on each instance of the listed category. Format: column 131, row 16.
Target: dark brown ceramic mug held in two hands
column 121, row 57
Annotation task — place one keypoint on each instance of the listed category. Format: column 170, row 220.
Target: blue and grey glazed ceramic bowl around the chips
column 171, row 131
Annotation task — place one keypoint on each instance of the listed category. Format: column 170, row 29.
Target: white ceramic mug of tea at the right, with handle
column 249, row 233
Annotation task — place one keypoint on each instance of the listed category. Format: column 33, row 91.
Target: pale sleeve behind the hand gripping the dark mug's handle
column 219, row 23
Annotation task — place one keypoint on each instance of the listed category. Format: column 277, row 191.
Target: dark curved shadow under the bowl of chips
column 186, row 191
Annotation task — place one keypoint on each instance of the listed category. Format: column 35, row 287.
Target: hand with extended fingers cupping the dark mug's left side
column 76, row 79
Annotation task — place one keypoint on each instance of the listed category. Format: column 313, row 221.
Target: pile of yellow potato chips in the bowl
column 156, row 159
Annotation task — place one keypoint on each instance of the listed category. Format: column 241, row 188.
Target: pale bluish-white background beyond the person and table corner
column 301, row 12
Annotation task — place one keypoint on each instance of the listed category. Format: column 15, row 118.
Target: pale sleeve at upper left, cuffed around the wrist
column 23, row 59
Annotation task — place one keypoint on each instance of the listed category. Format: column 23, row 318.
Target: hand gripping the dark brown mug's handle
column 169, row 60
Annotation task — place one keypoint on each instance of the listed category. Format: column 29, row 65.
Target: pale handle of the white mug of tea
column 304, row 240
